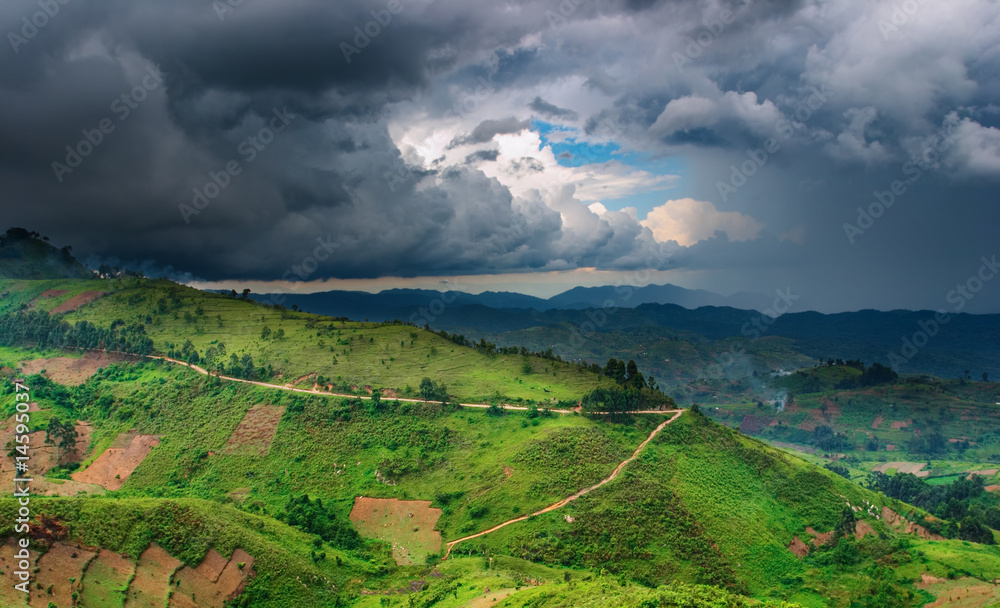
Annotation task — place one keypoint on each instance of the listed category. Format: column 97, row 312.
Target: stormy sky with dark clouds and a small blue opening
column 848, row 150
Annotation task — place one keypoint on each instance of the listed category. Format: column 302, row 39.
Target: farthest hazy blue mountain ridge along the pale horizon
column 405, row 303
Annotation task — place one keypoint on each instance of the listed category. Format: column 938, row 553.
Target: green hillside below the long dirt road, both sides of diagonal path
column 701, row 504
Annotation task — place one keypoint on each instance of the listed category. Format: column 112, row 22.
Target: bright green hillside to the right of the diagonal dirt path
column 701, row 504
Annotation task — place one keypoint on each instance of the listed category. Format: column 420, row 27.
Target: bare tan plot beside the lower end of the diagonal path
column 408, row 525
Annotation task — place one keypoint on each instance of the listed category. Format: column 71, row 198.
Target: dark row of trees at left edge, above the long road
column 36, row 329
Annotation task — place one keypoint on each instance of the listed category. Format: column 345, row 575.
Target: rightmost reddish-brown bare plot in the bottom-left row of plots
column 213, row 582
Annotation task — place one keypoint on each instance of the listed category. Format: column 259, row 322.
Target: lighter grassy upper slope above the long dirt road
column 306, row 349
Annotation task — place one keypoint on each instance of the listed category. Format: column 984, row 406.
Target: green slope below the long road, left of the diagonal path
column 480, row 469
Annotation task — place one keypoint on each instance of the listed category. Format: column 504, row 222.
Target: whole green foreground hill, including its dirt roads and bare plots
column 703, row 515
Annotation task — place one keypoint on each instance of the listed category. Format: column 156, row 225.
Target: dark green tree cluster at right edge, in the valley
column 954, row 503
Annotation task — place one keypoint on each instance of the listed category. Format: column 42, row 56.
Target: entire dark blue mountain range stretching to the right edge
column 678, row 340
